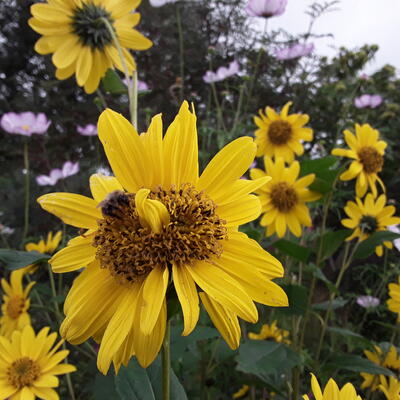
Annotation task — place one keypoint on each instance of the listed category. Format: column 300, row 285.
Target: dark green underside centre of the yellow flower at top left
column 88, row 24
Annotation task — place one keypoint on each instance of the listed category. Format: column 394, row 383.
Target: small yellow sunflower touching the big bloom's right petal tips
column 284, row 197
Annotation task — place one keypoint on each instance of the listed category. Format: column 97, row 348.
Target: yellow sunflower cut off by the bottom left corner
column 29, row 364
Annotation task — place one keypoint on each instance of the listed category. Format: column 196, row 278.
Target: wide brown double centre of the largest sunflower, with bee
column 130, row 249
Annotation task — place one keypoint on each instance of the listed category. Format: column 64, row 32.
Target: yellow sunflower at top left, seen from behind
column 75, row 32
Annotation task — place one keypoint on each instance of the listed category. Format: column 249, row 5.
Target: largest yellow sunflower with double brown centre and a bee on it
column 155, row 223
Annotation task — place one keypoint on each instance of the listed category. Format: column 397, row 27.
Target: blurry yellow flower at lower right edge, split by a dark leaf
column 389, row 360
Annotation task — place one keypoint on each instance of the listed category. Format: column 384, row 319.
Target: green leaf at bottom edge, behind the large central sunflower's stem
column 136, row 383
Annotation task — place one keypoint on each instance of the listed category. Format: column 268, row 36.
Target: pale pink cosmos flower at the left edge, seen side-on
column 26, row 123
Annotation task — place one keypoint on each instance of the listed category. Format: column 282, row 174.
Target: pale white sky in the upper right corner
column 356, row 22
